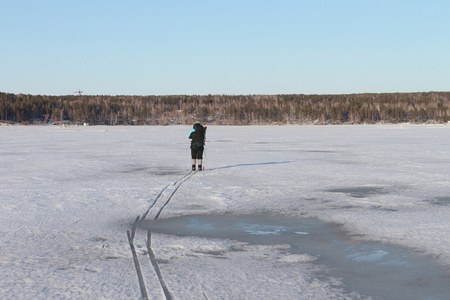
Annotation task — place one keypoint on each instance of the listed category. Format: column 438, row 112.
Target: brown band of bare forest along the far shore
column 226, row 109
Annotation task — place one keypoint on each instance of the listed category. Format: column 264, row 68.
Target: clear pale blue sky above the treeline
column 173, row 47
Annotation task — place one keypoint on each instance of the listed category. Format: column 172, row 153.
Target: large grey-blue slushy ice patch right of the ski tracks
column 374, row 269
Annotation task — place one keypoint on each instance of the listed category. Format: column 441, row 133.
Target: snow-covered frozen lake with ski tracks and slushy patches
column 280, row 212
